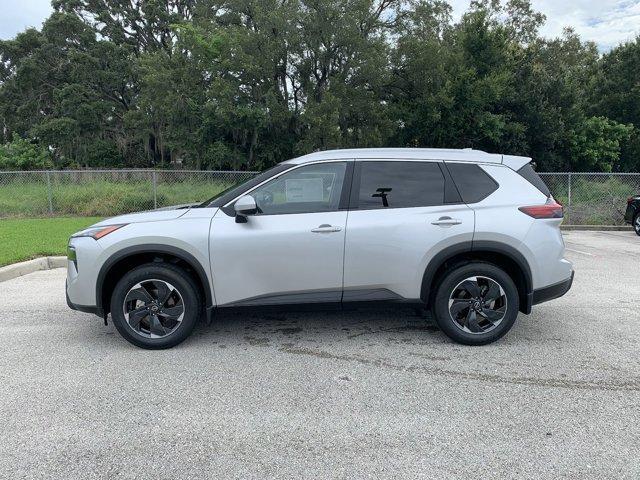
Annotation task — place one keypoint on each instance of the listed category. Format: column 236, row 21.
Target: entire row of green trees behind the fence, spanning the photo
column 245, row 84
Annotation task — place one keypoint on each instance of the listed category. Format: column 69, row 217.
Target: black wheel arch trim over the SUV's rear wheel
column 500, row 254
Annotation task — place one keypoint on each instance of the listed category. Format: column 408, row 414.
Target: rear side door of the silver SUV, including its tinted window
column 401, row 214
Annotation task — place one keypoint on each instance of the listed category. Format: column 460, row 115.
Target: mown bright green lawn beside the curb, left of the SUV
column 23, row 239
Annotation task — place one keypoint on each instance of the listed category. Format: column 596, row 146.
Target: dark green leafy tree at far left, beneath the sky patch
column 67, row 90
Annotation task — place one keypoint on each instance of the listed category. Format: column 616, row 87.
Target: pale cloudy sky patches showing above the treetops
column 606, row 22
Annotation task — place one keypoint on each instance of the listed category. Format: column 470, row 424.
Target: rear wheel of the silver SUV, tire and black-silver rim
column 481, row 319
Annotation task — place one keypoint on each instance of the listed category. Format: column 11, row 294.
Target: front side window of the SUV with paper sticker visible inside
column 307, row 189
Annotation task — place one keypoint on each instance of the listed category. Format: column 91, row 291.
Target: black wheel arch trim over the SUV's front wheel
column 131, row 257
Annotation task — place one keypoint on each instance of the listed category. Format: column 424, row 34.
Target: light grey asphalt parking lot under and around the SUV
column 365, row 394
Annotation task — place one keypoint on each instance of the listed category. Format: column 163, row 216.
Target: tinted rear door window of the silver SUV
column 400, row 184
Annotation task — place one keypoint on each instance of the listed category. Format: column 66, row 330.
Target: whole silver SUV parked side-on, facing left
column 472, row 236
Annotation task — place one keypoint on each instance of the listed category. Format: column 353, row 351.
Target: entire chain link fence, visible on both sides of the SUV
column 588, row 198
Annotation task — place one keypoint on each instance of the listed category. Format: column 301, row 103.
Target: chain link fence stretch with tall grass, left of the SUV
column 104, row 193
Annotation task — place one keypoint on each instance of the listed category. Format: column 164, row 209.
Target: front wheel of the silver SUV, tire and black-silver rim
column 141, row 316
